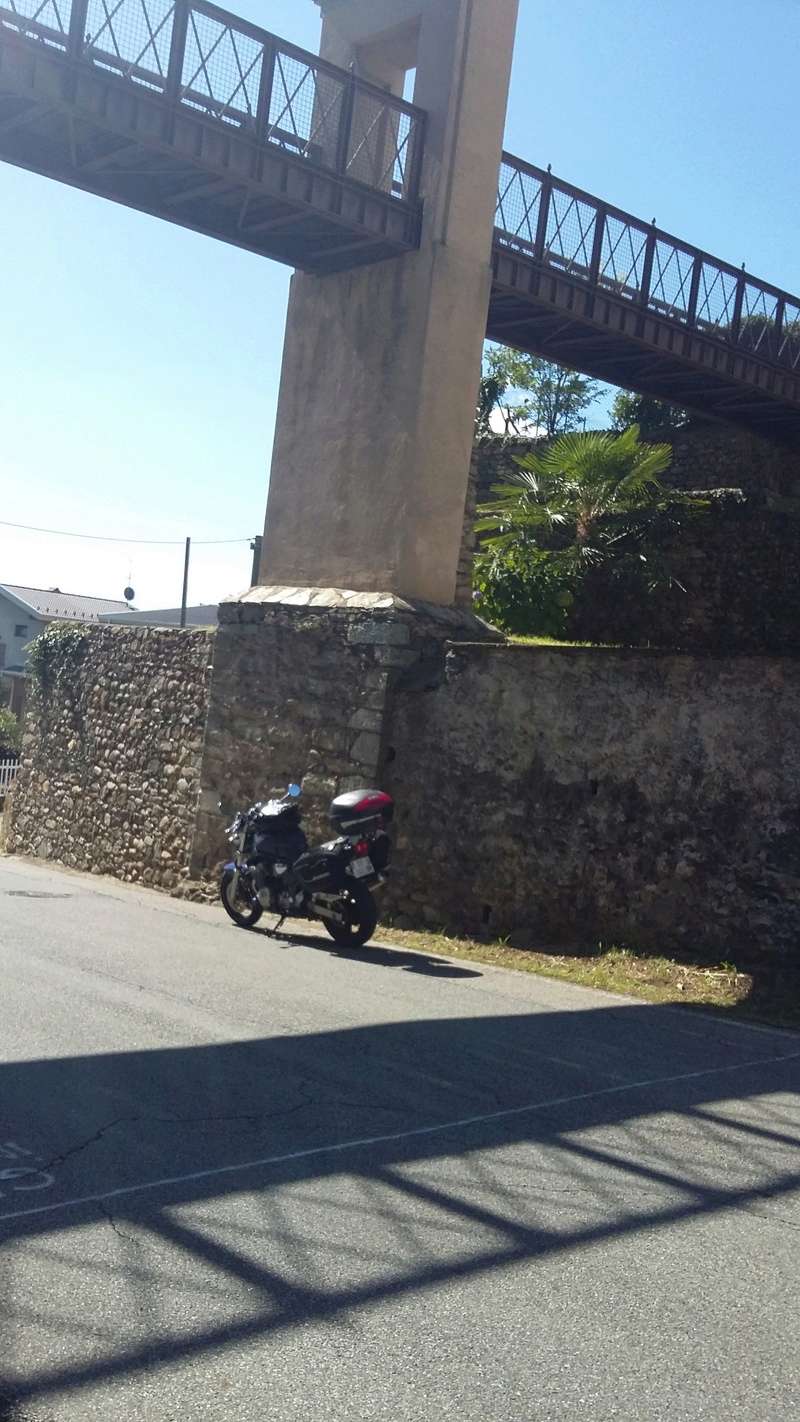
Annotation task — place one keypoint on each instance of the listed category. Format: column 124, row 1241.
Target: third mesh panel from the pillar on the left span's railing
column 222, row 69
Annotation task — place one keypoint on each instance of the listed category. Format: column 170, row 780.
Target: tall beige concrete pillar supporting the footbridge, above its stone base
column 382, row 365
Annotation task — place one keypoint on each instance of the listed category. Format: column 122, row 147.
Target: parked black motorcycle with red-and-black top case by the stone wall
column 275, row 871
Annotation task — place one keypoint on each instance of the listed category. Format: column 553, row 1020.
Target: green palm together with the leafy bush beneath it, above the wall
column 572, row 506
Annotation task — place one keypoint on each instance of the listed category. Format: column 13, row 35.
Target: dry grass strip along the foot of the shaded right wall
column 767, row 992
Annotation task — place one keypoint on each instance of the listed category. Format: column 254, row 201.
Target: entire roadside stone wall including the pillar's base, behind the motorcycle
column 556, row 796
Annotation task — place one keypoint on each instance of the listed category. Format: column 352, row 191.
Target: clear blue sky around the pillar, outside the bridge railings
column 140, row 363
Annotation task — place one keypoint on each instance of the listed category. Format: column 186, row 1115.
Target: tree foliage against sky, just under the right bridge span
column 532, row 393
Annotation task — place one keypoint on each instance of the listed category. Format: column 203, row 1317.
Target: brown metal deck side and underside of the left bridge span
column 126, row 143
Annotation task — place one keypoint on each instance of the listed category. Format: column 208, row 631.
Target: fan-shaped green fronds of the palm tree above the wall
column 579, row 497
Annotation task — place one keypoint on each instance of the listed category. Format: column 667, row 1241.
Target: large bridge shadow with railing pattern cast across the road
column 320, row 1175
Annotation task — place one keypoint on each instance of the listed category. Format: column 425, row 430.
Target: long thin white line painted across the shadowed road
column 343, row 1147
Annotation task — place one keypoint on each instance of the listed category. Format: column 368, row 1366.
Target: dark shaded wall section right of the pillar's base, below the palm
column 580, row 796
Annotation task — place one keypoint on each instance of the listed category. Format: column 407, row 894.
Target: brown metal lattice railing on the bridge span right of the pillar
column 612, row 251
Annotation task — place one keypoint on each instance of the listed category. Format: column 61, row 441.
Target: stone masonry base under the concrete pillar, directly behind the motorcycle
column 301, row 693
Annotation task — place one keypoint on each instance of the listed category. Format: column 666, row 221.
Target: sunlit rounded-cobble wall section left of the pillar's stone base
column 112, row 757
